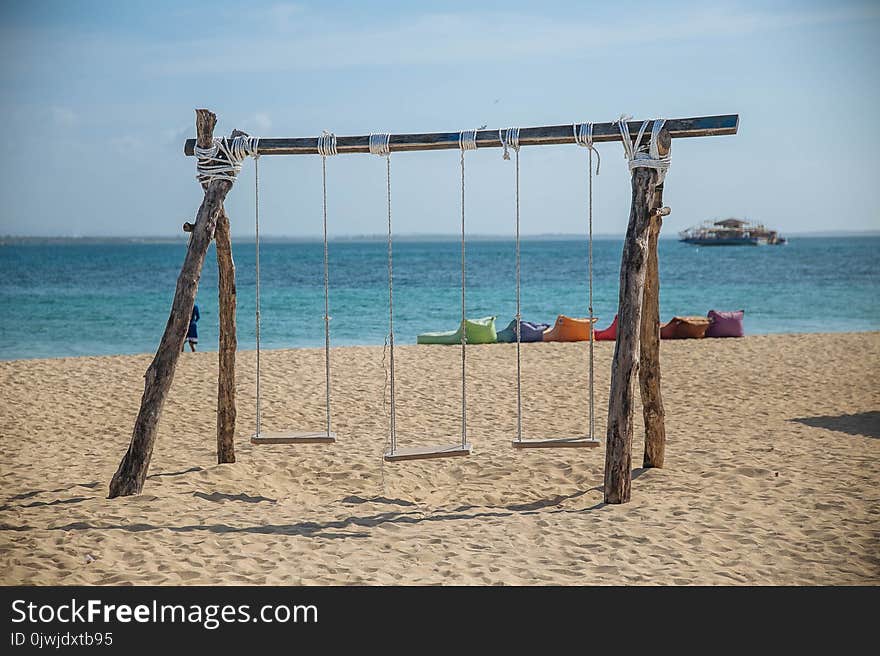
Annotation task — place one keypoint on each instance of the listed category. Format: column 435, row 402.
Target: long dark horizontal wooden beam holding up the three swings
column 701, row 126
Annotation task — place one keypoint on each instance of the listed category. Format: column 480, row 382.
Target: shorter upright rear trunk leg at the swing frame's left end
column 226, row 411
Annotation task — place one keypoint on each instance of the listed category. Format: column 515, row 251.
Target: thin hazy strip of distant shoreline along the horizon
column 11, row 240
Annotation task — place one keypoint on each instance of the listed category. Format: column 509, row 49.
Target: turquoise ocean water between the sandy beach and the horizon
column 72, row 298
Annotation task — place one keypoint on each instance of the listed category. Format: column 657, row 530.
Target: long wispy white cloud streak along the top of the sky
column 304, row 41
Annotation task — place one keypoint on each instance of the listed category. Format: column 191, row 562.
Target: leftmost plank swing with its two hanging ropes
column 326, row 147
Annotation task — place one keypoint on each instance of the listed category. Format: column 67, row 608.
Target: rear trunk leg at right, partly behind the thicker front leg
column 649, row 361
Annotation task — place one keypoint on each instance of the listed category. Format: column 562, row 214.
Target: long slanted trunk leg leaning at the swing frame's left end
column 129, row 477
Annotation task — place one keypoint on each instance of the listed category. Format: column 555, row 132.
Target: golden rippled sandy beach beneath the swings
column 772, row 471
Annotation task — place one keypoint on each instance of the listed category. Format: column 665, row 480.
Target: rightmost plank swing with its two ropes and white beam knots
column 583, row 136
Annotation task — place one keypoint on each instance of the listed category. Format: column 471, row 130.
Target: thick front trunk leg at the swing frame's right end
column 618, row 450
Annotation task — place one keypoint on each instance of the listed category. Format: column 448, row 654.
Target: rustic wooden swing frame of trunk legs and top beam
column 636, row 350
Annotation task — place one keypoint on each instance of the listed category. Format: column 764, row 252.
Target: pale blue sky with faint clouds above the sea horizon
column 98, row 97
